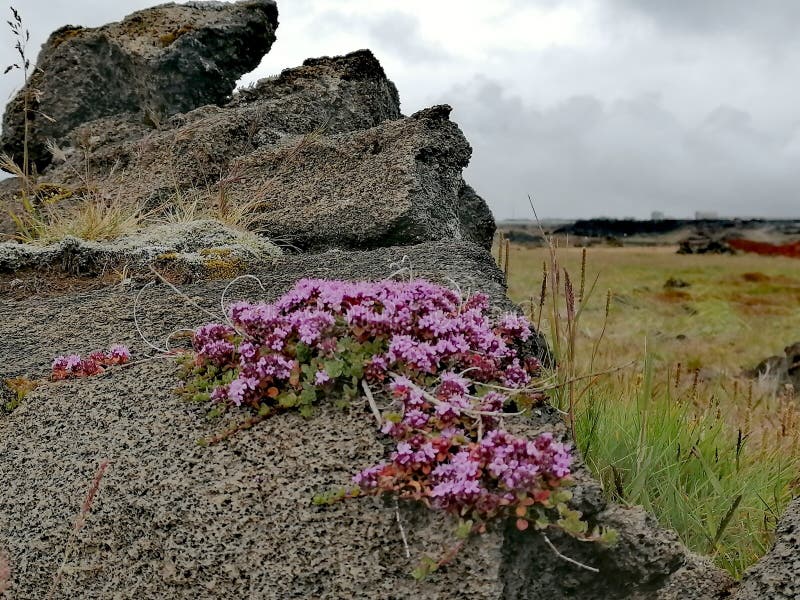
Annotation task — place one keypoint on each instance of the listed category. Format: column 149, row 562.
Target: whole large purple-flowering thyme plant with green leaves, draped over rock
column 453, row 375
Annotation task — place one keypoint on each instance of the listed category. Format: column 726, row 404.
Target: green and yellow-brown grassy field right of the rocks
column 678, row 429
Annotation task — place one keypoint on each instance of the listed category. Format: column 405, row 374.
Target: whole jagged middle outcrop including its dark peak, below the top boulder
column 318, row 157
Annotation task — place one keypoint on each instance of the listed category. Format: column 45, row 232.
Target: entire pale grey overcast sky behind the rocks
column 593, row 107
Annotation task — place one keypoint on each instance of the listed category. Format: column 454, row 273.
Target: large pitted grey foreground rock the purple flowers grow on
column 176, row 520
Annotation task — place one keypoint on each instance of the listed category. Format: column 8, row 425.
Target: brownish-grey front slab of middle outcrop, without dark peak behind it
column 396, row 182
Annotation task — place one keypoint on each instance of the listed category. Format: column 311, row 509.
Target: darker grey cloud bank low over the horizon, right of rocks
column 626, row 157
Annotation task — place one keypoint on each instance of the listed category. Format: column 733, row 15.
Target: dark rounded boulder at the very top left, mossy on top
column 156, row 62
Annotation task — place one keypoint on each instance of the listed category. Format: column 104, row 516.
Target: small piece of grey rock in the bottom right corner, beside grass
column 777, row 575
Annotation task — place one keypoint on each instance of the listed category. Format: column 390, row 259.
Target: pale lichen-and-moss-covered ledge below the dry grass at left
column 200, row 249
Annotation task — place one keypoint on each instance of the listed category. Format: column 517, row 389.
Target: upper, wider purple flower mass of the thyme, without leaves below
column 421, row 328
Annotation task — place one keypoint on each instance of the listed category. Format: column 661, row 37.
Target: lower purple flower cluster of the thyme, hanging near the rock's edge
column 441, row 456
